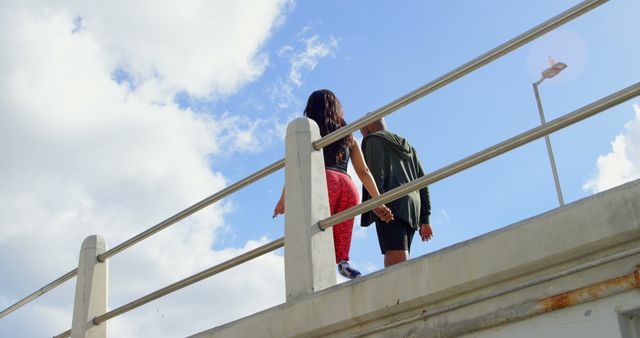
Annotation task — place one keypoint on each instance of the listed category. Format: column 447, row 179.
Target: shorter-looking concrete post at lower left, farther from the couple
column 91, row 290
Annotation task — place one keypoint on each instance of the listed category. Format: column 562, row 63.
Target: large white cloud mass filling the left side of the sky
column 82, row 154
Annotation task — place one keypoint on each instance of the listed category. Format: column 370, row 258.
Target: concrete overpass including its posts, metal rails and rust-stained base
column 569, row 272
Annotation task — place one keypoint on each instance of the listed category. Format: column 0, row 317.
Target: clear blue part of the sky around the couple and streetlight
column 383, row 53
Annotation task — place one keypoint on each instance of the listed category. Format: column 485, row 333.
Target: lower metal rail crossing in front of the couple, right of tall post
column 484, row 155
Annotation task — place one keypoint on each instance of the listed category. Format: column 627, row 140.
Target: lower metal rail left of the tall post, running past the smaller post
column 249, row 255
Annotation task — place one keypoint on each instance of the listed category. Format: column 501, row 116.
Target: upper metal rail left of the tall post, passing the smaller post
column 160, row 226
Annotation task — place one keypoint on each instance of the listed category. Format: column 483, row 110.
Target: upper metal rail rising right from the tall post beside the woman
column 457, row 73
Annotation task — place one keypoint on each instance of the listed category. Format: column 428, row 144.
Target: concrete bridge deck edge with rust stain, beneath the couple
column 414, row 299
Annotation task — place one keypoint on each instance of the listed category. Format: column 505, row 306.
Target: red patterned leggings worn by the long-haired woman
column 343, row 195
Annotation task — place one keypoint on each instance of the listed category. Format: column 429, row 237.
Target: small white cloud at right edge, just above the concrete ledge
column 622, row 164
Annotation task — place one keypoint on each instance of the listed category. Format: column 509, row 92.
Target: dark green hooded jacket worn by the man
column 394, row 162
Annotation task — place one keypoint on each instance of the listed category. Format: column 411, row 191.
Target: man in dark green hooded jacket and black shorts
column 393, row 162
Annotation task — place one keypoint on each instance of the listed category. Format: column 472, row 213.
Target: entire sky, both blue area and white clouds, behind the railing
column 116, row 115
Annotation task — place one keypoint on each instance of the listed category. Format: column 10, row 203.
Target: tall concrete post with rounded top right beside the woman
column 309, row 253
